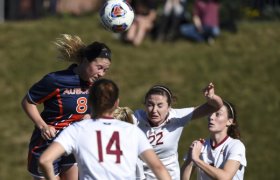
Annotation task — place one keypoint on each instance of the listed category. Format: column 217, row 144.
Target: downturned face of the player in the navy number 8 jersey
column 96, row 69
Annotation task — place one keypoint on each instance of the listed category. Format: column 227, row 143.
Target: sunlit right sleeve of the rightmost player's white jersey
column 237, row 152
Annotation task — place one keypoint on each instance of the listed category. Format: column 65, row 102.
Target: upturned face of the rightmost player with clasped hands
column 218, row 121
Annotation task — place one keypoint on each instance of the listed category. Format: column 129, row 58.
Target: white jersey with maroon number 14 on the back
column 104, row 148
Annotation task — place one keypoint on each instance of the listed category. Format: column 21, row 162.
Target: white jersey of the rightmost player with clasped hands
column 230, row 149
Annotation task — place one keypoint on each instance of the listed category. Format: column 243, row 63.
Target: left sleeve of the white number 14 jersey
column 67, row 138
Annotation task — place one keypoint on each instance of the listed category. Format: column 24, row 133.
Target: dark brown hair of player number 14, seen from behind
column 103, row 95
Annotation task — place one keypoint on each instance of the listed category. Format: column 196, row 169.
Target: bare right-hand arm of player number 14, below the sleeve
column 150, row 157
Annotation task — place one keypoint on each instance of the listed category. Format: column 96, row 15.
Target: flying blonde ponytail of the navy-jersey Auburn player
column 70, row 48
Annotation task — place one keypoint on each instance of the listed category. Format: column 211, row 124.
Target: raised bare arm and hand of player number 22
column 214, row 103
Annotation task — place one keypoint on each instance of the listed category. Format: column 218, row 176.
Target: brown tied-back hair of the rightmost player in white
column 233, row 130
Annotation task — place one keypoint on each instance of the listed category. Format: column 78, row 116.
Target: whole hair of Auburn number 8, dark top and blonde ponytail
column 72, row 48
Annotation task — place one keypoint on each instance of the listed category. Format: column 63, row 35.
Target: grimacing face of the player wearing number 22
column 157, row 109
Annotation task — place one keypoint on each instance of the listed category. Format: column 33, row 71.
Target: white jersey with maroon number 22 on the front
column 165, row 138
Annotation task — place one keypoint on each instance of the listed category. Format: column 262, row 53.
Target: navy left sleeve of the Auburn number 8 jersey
column 42, row 90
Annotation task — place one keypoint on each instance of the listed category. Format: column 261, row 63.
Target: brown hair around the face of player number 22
column 161, row 90
